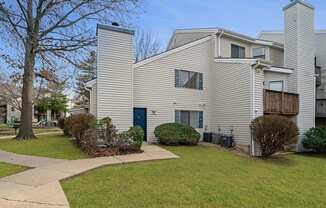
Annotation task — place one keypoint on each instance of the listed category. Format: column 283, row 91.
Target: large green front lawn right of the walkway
column 204, row 177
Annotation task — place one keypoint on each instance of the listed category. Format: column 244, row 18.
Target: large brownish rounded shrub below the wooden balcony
column 272, row 133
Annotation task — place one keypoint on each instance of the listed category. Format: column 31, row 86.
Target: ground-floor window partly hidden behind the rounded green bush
column 191, row 118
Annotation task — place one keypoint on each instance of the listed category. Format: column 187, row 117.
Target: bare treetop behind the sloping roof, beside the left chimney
column 146, row 45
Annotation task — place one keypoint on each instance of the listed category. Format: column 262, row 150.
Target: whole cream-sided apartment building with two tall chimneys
column 213, row 79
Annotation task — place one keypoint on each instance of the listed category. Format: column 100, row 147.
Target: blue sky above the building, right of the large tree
column 249, row 17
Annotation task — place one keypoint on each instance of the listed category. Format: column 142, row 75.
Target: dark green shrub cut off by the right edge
column 315, row 139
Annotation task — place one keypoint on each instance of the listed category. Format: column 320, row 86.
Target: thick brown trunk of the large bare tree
column 26, row 119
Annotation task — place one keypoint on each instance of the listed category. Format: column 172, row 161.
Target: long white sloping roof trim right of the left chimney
column 172, row 51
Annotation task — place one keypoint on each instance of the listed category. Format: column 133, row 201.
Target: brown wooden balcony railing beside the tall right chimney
column 281, row 103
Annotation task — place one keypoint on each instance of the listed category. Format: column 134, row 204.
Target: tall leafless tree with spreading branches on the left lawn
column 49, row 32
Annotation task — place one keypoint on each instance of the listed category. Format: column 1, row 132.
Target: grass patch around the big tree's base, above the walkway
column 53, row 146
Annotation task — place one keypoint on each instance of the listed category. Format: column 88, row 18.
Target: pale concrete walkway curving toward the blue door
column 40, row 187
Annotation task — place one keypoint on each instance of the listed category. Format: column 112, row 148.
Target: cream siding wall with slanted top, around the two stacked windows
column 154, row 87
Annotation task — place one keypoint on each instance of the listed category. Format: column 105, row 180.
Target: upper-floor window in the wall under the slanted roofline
column 188, row 79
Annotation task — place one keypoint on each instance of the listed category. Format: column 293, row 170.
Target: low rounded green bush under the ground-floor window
column 176, row 134
